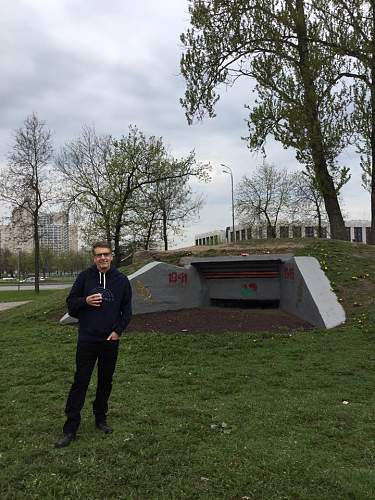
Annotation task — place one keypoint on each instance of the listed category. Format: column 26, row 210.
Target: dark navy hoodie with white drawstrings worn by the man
column 114, row 314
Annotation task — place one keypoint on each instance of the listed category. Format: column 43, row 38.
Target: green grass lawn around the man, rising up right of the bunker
column 237, row 416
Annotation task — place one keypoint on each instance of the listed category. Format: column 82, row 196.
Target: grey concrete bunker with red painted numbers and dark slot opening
column 296, row 285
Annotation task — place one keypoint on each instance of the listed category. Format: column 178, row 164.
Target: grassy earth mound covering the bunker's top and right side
column 350, row 267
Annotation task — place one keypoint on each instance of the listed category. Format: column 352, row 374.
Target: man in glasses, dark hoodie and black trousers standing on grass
column 101, row 300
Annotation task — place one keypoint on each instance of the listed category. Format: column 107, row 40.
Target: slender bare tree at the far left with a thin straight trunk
column 24, row 182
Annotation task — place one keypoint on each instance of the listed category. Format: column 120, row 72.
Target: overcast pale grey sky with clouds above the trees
column 116, row 63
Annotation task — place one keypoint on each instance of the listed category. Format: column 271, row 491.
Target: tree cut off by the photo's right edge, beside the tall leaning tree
column 348, row 29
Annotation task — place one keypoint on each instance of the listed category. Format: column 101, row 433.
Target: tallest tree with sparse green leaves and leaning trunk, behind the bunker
column 299, row 101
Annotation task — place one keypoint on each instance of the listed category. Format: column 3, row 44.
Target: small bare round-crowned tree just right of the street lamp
column 265, row 197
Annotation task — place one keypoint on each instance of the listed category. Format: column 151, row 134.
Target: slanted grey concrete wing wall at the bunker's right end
column 306, row 293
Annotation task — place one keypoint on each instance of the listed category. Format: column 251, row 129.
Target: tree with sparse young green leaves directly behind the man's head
column 103, row 174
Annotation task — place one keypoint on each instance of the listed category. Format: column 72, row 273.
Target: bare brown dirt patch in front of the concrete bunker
column 217, row 320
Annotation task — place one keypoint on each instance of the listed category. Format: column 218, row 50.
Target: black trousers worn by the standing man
column 105, row 353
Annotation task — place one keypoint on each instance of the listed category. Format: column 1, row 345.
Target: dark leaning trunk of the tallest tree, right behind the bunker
column 315, row 137
